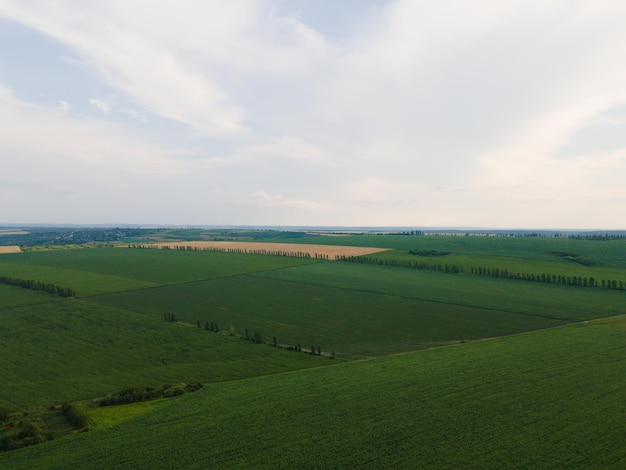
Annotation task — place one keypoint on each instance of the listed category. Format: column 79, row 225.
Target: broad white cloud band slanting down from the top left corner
column 123, row 43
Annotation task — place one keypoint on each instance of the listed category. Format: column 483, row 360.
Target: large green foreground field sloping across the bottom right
column 549, row 399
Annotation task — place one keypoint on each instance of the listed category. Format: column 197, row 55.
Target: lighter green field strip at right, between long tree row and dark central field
column 544, row 300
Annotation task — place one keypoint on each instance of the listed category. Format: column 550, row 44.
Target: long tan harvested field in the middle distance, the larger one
column 315, row 251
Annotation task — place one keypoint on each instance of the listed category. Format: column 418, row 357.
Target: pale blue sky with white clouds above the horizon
column 412, row 113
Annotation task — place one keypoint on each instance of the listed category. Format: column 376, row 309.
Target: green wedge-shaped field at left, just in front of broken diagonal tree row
column 72, row 350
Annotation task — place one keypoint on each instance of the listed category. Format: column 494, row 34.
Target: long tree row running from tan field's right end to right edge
column 578, row 281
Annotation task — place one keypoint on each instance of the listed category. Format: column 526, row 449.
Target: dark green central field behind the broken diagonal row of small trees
column 347, row 321
